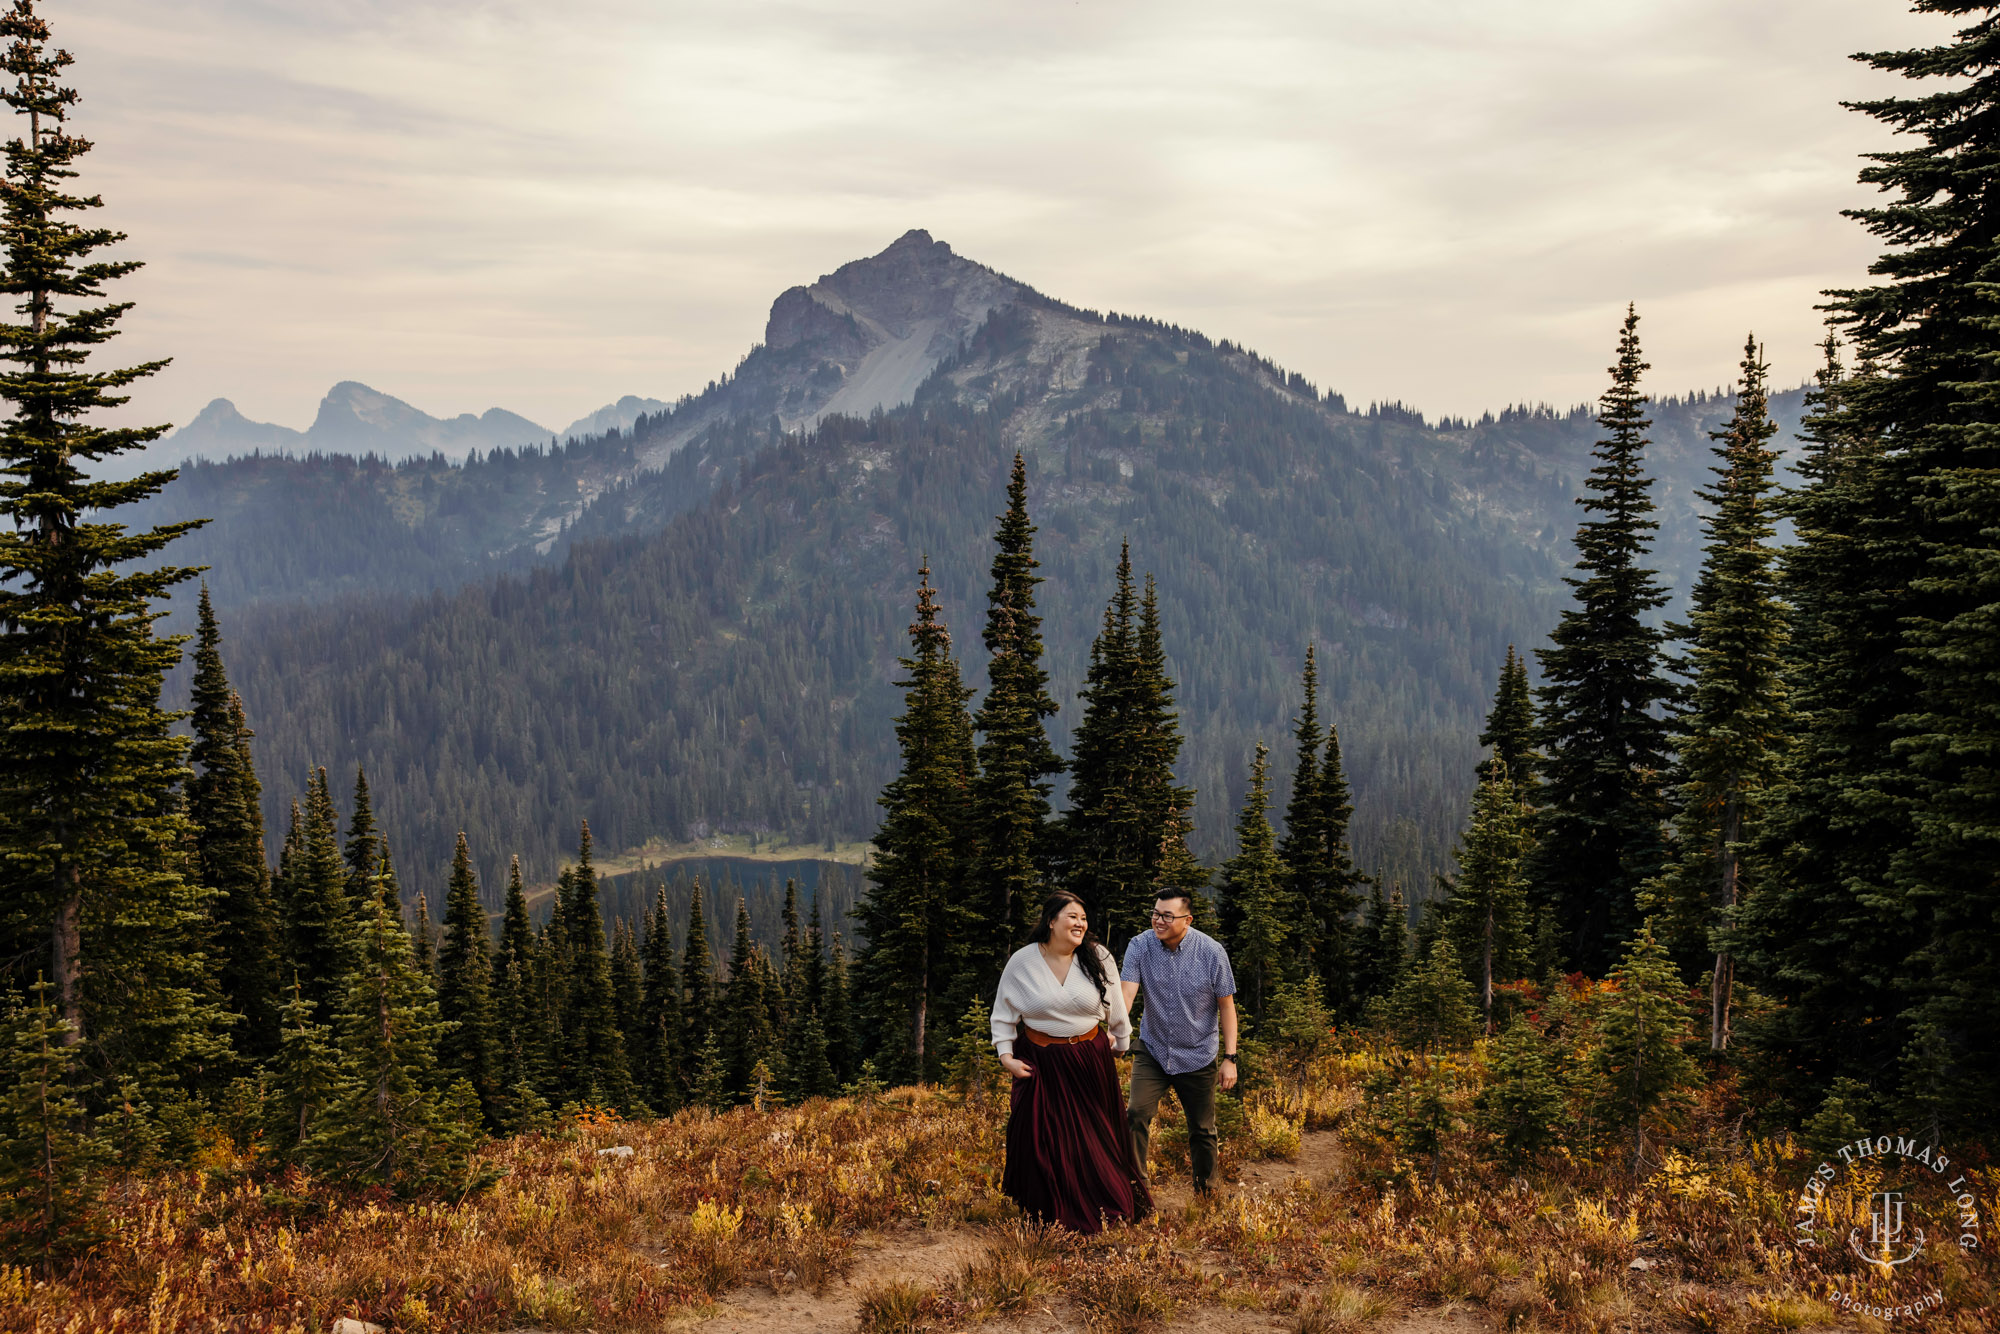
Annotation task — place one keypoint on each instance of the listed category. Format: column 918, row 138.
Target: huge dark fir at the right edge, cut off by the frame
column 1897, row 851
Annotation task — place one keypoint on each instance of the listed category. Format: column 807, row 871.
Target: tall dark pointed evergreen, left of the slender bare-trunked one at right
column 1605, row 737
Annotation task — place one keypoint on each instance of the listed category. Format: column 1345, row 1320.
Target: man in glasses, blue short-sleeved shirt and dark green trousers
column 1191, row 995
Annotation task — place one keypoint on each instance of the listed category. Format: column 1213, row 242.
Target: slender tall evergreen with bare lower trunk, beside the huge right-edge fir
column 1737, row 721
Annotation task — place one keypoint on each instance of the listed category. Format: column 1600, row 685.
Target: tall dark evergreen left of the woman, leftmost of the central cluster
column 917, row 917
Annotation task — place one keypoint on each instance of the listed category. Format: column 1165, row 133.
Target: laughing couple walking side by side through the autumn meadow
column 1075, row 1149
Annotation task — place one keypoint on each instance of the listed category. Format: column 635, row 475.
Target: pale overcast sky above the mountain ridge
column 543, row 207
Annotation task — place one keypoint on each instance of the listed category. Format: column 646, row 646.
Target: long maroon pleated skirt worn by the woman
column 1069, row 1157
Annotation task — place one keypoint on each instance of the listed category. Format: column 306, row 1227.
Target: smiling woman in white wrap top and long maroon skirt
column 1069, row 1157
